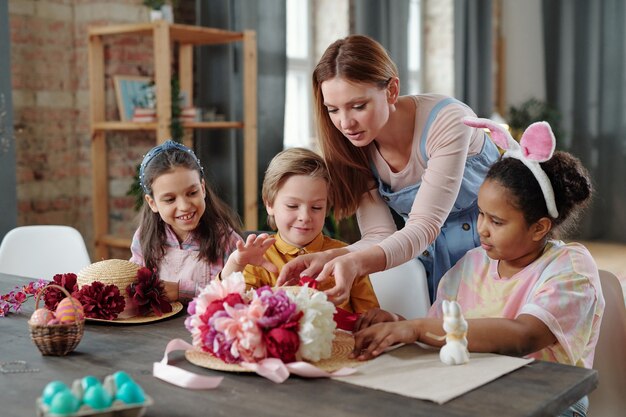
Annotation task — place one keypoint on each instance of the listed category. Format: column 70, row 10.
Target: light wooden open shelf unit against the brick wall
column 164, row 35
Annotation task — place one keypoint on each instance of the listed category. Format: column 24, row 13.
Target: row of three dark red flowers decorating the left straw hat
column 106, row 302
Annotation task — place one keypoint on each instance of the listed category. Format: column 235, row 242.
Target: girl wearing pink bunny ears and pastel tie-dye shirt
column 523, row 292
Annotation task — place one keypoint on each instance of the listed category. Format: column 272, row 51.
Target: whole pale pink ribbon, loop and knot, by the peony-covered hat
column 271, row 368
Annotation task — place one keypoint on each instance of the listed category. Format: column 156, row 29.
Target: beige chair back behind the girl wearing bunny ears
column 609, row 399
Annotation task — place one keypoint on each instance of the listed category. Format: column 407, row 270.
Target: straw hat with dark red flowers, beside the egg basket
column 121, row 273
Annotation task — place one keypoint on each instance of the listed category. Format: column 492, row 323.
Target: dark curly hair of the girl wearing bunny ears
column 570, row 182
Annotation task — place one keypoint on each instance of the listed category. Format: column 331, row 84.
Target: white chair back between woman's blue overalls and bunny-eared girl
column 403, row 289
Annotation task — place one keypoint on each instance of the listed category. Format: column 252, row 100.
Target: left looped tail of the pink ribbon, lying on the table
column 181, row 377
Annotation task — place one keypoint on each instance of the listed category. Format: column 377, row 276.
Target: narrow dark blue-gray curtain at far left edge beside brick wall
column 8, row 201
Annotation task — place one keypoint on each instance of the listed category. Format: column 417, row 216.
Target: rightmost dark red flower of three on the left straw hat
column 148, row 293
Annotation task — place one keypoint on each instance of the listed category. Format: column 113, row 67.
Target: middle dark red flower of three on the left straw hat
column 101, row 301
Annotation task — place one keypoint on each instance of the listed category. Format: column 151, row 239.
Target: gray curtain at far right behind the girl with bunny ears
column 585, row 55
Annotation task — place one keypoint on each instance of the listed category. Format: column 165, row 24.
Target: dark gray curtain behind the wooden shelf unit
column 219, row 78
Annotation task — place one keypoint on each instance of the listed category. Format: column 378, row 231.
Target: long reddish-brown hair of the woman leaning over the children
column 358, row 59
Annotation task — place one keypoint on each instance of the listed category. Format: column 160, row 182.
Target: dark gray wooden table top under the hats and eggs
column 539, row 389
